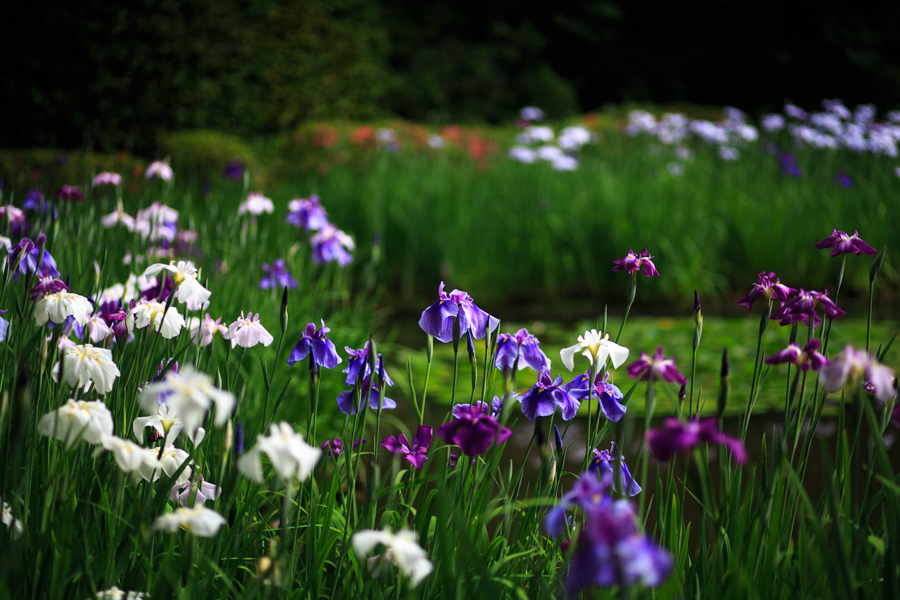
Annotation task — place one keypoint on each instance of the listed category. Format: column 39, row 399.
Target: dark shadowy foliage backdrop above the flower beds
column 112, row 75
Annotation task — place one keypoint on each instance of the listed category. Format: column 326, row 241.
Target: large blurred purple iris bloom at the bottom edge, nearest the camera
column 612, row 552
